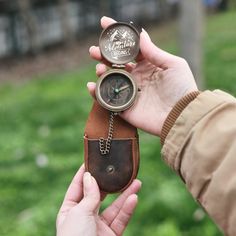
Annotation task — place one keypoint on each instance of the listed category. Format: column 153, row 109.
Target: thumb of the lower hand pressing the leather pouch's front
column 91, row 199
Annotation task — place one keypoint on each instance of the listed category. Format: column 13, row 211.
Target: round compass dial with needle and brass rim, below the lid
column 116, row 91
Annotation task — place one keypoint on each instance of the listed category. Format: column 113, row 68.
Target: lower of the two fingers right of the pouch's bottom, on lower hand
column 120, row 222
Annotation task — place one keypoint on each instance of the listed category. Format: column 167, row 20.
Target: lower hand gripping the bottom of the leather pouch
column 79, row 213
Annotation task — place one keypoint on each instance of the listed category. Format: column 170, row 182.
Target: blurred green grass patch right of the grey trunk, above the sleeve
column 220, row 52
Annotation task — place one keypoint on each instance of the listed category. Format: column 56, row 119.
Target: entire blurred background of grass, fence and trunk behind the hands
column 44, row 104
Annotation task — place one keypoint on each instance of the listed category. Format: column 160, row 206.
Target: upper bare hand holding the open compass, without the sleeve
column 162, row 77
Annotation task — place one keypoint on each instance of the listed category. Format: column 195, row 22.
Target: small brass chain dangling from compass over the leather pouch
column 105, row 145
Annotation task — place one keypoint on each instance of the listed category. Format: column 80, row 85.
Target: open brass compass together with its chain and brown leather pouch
column 111, row 144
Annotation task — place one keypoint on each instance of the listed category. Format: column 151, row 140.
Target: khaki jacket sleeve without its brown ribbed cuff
column 201, row 148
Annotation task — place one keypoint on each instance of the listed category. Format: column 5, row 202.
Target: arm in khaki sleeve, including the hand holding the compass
column 199, row 141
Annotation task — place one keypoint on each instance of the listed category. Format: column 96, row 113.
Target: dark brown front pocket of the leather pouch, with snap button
column 116, row 170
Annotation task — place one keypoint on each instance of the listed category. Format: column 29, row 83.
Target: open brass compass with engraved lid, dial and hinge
column 116, row 90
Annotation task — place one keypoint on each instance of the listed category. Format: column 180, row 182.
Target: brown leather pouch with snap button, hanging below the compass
column 115, row 171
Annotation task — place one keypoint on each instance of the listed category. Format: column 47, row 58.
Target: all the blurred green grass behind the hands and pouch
column 43, row 120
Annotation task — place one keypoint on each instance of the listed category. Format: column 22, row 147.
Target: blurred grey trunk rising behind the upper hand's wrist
column 191, row 36
